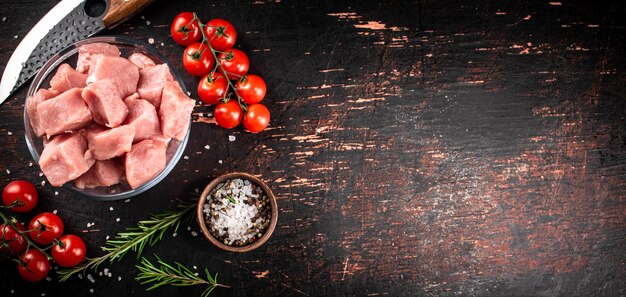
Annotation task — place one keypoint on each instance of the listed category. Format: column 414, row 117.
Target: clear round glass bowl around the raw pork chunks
column 69, row 55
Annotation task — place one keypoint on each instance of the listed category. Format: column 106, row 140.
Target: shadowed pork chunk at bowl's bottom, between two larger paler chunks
column 101, row 174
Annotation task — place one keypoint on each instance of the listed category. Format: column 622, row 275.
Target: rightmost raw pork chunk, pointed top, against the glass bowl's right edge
column 175, row 111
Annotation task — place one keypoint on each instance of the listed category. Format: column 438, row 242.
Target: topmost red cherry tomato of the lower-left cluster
column 20, row 196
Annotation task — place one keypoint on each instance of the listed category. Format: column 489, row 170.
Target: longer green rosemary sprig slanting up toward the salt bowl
column 135, row 238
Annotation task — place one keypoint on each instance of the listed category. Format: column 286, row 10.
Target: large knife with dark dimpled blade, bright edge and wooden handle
column 66, row 23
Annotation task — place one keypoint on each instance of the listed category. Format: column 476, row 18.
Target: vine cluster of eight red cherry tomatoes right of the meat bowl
column 210, row 54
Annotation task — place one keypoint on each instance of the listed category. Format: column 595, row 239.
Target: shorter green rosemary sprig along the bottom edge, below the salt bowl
column 162, row 273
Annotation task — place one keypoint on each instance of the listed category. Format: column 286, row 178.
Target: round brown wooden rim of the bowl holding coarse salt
column 203, row 224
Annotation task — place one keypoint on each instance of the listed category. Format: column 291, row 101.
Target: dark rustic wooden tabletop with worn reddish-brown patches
column 417, row 148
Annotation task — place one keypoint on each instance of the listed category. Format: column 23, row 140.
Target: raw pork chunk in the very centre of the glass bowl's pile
column 105, row 103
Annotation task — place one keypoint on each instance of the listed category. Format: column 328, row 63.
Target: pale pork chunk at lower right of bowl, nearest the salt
column 145, row 161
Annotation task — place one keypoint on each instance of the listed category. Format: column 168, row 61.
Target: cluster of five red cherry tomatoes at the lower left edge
column 44, row 229
